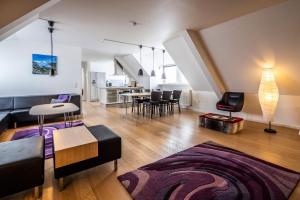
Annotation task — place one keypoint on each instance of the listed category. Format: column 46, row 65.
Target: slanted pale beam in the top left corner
column 23, row 21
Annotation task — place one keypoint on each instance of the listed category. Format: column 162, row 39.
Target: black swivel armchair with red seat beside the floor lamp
column 231, row 102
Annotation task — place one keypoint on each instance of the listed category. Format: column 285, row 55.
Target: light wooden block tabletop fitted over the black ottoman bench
column 72, row 145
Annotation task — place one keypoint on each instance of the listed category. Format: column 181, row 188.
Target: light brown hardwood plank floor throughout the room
column 146, row 140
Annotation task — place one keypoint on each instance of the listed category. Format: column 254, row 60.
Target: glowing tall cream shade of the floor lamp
column 268, row 94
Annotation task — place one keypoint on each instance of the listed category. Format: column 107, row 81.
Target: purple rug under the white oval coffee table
column 48, row 134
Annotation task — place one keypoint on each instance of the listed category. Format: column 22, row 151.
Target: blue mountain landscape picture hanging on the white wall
column 41, row 64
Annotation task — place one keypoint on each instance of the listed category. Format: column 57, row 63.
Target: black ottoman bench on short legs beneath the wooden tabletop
column 109, row 149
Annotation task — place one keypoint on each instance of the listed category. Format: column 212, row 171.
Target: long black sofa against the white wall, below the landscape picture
column 15, row 110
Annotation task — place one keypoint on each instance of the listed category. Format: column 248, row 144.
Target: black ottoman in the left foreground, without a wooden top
column 21, row 165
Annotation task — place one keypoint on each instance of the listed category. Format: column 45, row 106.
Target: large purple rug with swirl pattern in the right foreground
column 210, row 171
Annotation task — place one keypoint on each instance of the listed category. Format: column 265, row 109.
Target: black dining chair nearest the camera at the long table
column 153, row 103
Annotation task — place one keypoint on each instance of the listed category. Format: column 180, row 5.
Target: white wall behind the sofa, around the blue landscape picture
column 16, row 76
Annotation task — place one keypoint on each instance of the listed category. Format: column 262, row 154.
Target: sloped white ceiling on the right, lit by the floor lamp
column 242, row 46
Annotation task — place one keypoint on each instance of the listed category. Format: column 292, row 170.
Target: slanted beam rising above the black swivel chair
column 204, row 61
